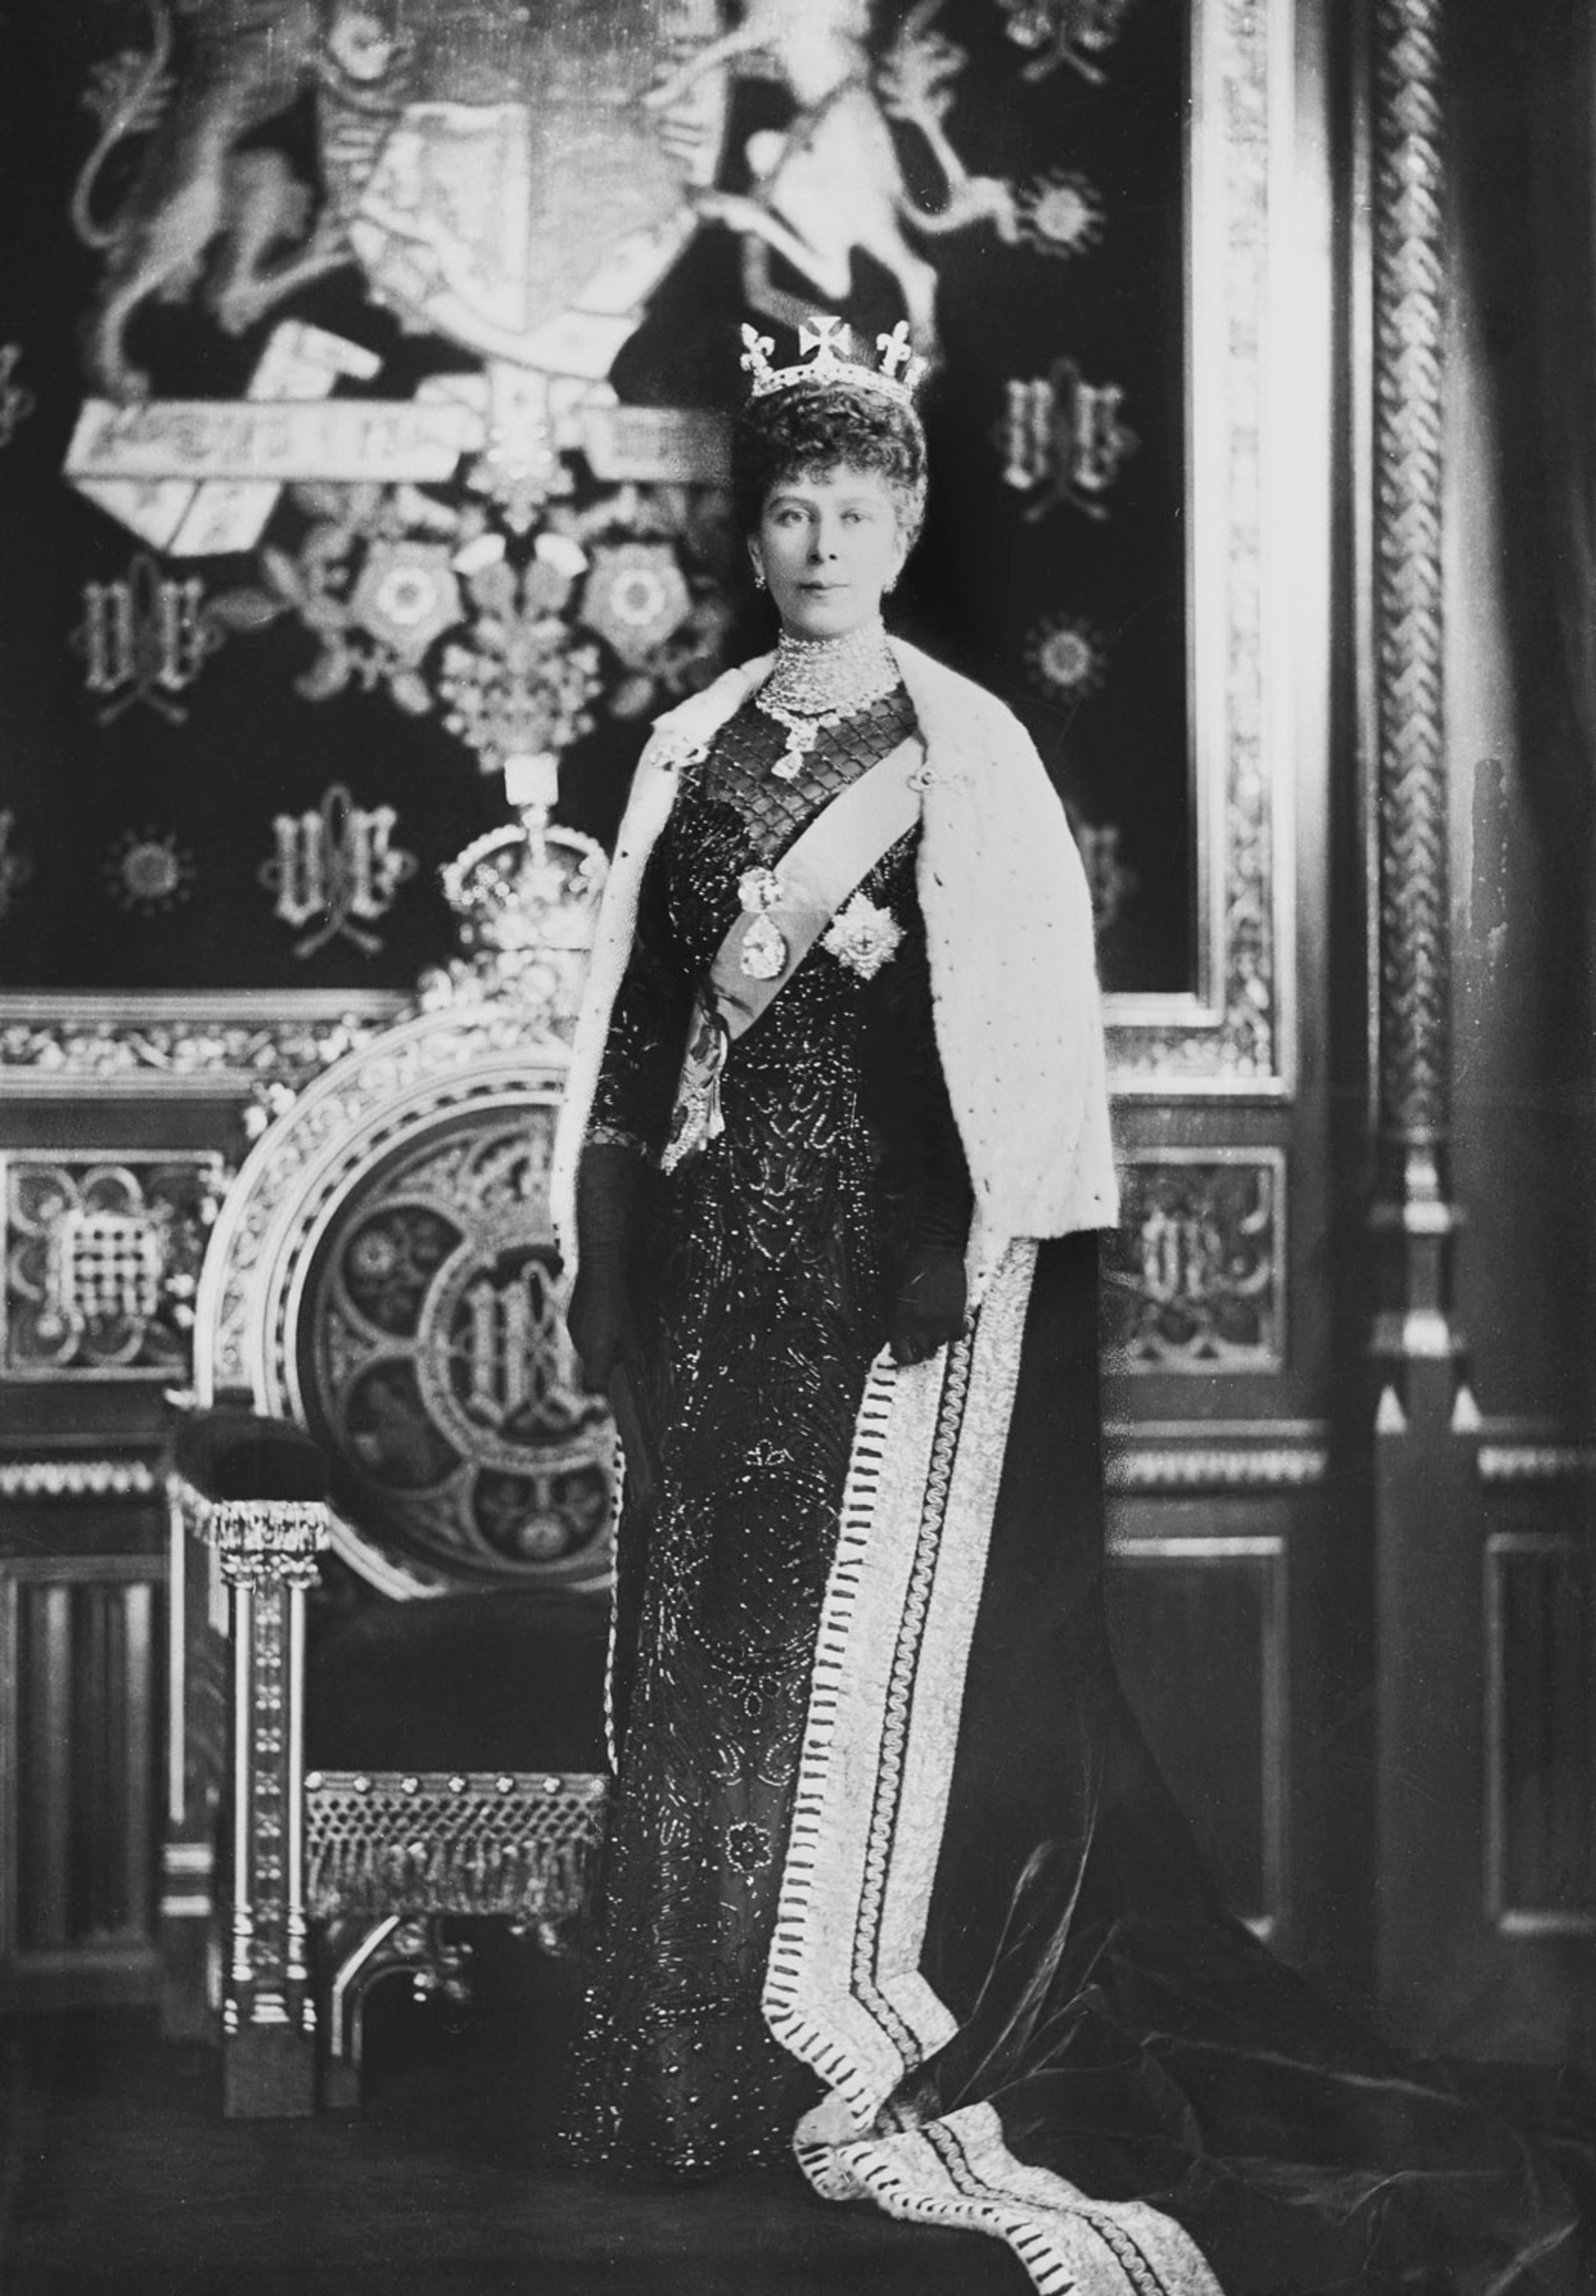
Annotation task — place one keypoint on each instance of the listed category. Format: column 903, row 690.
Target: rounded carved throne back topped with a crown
column 385, row 1269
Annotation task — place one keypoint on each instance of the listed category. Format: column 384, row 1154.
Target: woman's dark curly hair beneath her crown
column 805, row 433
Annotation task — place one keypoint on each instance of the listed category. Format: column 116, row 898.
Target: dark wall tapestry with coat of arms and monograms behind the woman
column 362, row 449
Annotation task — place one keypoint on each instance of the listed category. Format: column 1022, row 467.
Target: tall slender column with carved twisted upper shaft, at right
column 1427, row 1514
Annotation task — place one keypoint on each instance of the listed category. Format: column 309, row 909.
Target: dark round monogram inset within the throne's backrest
column 437, row 1367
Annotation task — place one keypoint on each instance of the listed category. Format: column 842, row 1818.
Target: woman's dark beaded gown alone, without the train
column 764, row 1291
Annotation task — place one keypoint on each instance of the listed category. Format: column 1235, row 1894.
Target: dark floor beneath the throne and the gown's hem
column 121, row 2175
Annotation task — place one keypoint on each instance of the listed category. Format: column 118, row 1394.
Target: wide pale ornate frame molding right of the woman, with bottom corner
column 1246, row 502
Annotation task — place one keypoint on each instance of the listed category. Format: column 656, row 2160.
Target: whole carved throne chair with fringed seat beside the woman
column 392, row 1519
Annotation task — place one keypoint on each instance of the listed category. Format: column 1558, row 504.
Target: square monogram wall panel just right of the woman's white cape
column 1198, row 1271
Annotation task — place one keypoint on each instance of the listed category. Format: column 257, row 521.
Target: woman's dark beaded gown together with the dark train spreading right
column 1126, row 2029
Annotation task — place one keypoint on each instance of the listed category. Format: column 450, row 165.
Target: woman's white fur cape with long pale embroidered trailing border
column 1018, row 1034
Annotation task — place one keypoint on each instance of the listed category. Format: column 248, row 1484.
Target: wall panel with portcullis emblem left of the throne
column 100, row 1262
